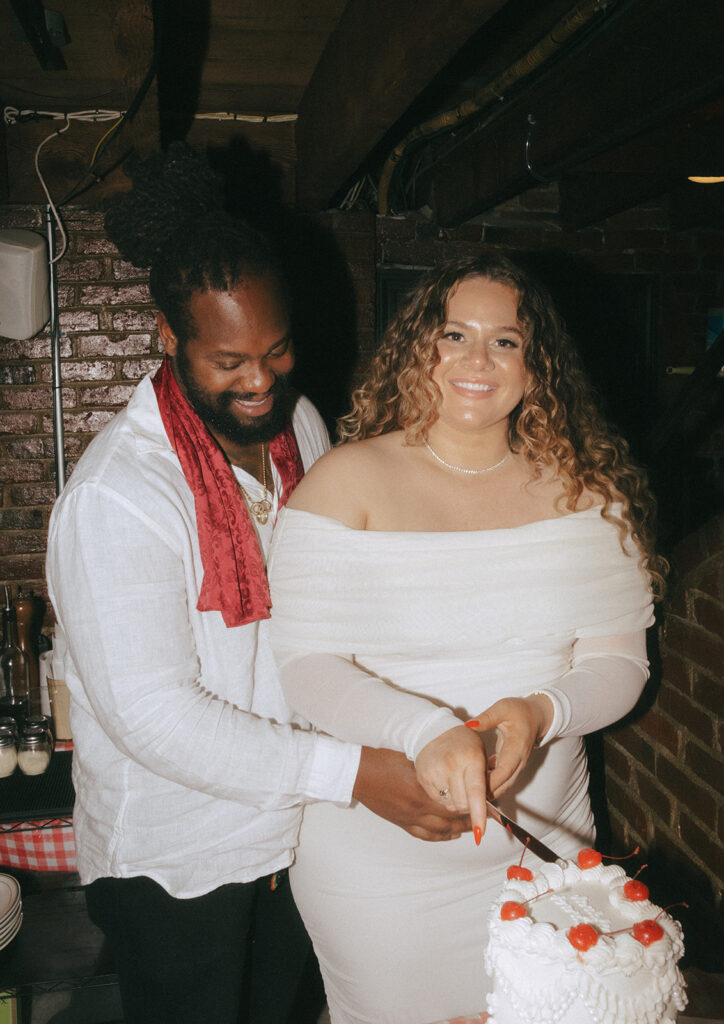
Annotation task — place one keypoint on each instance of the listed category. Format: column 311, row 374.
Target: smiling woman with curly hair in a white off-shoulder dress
column 480, row 550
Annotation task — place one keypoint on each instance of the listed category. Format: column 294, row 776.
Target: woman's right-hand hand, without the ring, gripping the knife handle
column 521, row 722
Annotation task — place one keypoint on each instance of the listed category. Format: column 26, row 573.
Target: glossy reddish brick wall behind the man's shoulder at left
column 109, row 342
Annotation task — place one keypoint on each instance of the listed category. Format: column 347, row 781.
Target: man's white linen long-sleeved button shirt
column 189, row 766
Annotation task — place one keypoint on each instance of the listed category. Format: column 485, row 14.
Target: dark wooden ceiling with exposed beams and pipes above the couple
column 450, row 108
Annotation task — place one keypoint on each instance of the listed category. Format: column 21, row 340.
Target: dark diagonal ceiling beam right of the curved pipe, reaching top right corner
column 655, row 61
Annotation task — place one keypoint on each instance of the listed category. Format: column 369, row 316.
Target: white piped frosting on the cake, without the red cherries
column 540, row 978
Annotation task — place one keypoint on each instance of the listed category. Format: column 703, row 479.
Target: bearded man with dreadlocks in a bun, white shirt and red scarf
column 191, row 772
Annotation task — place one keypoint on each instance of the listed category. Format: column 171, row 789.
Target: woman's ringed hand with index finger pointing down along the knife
column 452, row 771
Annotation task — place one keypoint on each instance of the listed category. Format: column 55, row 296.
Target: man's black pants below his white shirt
column 235, row 956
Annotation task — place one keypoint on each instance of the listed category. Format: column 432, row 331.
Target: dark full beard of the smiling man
column 217, row 415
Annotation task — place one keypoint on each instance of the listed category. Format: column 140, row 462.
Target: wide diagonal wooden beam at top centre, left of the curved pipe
column 377, row 62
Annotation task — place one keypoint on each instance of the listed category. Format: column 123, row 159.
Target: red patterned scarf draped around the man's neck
column 235, row 578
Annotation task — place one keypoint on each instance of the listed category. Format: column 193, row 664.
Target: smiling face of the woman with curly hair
column 482, row 374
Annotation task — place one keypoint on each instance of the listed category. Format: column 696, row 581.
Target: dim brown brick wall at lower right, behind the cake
column 665, row 771
